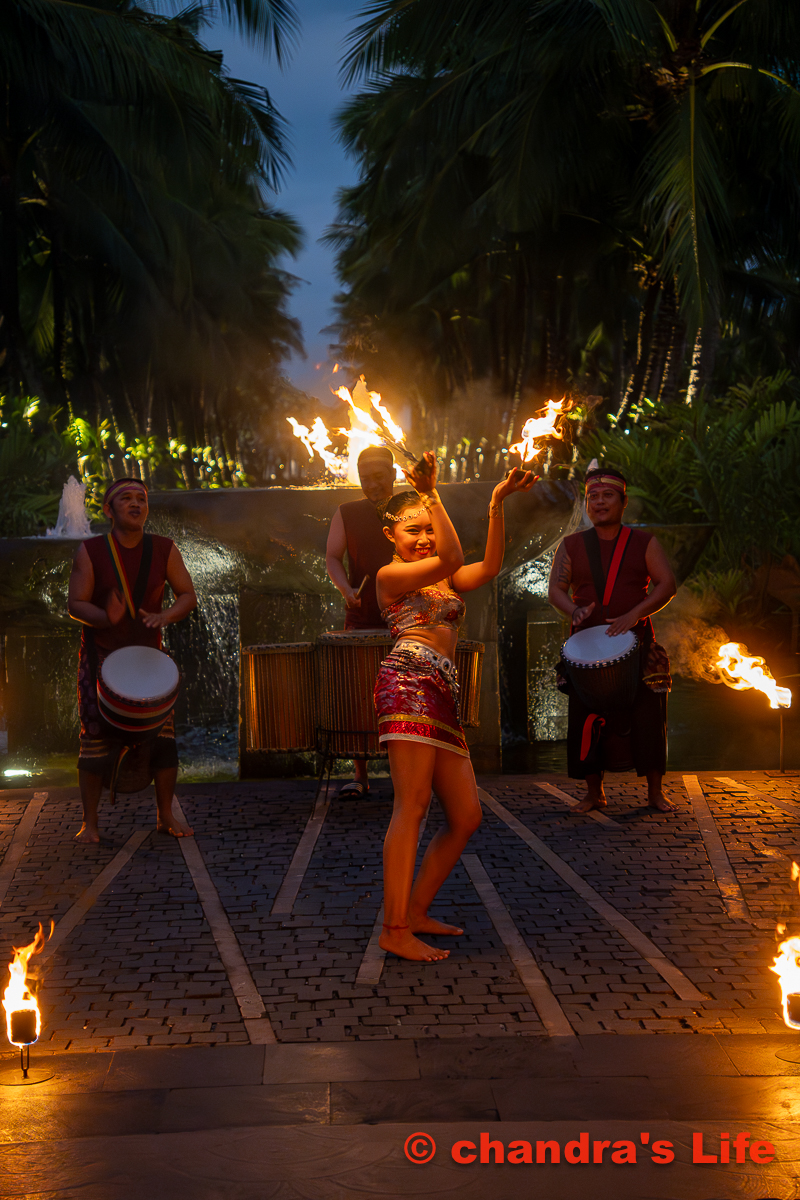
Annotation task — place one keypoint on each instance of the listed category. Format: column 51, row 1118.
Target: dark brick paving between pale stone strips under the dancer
column 143, row 969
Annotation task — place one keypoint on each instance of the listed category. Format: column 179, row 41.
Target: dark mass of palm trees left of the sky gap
column 141, row 285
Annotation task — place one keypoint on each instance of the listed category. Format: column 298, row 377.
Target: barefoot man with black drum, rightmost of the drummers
column 635, row 580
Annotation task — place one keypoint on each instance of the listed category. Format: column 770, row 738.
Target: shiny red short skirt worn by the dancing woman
column 417, row 699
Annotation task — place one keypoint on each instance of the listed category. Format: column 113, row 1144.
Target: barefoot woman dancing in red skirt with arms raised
column 417, row 698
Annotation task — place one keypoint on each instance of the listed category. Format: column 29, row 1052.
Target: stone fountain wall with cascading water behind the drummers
column 257, row 561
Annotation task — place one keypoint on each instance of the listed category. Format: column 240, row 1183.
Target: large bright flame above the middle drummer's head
column 371, row 425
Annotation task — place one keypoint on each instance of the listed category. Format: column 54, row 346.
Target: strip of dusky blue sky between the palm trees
column 308, row 93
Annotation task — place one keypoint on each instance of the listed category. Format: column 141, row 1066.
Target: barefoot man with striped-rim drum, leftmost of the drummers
column 116, row 592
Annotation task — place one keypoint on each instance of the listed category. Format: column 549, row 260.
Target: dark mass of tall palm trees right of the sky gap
column 580, row 195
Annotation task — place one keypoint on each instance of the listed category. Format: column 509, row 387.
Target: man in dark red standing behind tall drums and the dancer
column 357, row 529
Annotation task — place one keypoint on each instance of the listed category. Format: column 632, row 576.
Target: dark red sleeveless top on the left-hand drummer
column 129, row 632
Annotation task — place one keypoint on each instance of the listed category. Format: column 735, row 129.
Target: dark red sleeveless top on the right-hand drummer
column 633, row 581
